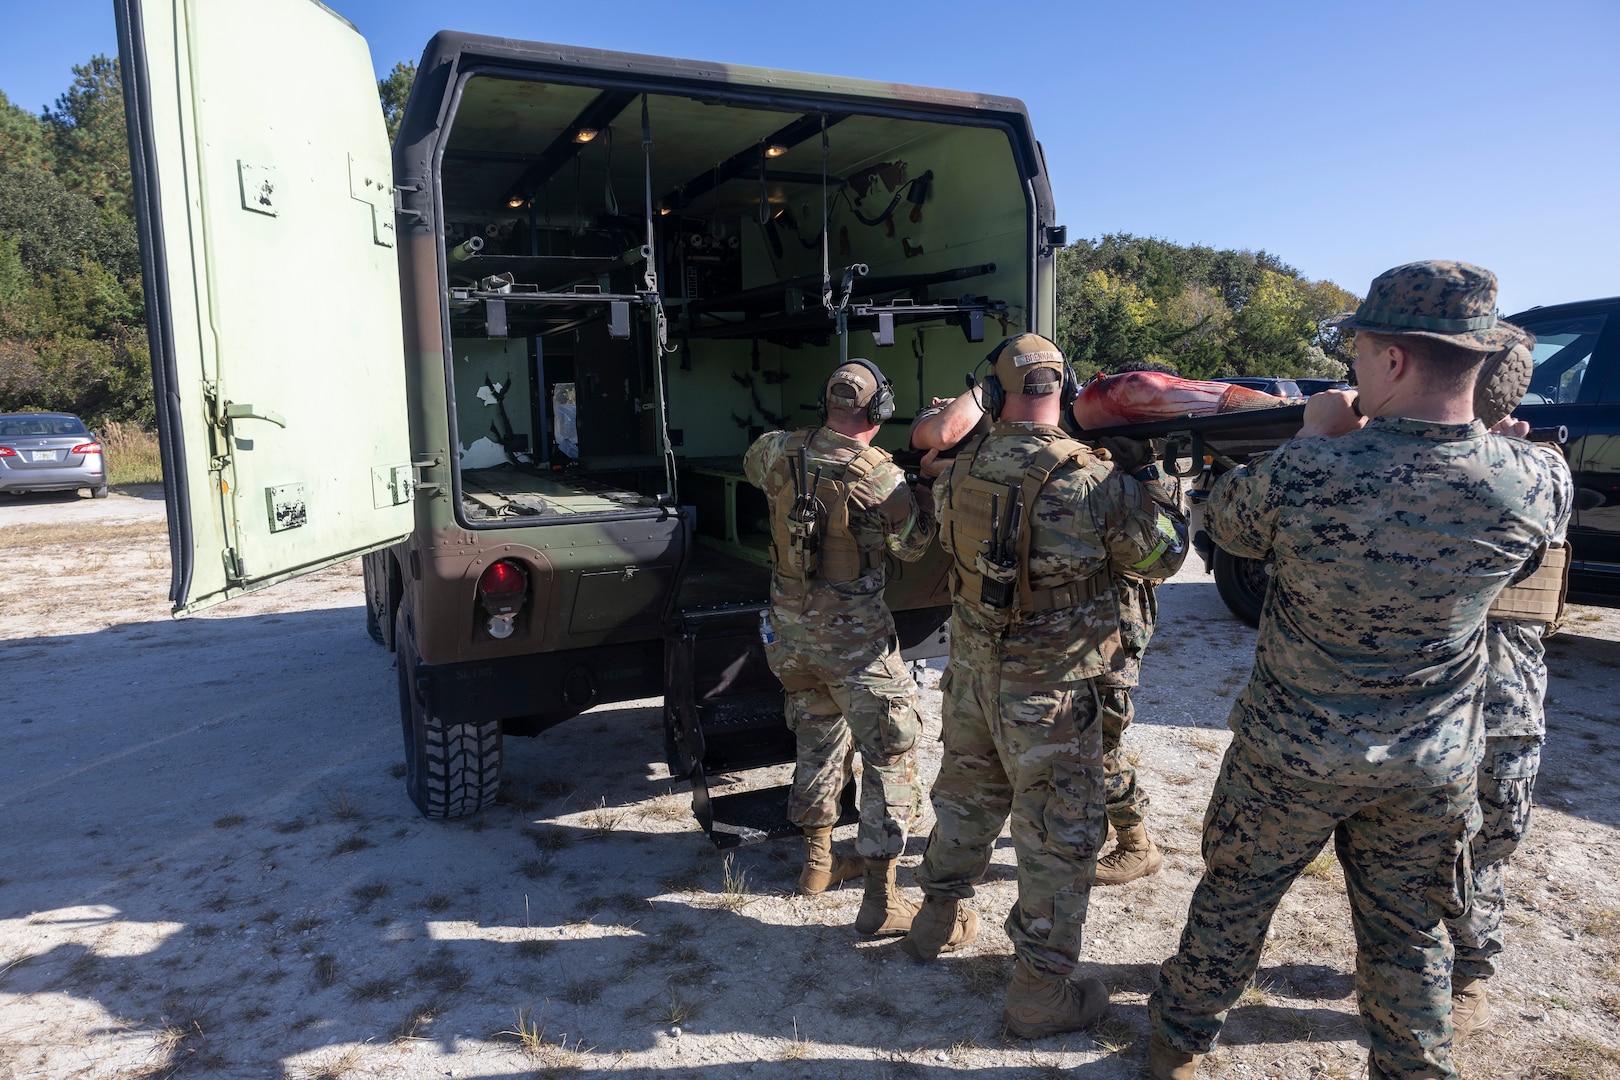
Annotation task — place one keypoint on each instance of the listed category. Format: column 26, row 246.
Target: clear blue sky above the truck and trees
column 1345, row 138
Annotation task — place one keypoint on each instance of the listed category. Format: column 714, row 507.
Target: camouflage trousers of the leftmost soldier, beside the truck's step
column 842, row 697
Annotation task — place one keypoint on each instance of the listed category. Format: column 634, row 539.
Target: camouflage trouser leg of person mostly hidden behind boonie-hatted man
column 1507, row 778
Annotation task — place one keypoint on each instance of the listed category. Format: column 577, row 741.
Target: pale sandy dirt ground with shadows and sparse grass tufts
column 210, row 870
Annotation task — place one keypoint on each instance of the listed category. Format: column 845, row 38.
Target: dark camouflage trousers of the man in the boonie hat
column 1405, row 856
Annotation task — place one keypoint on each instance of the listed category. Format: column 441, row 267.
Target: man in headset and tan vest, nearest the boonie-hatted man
column 1036, row 525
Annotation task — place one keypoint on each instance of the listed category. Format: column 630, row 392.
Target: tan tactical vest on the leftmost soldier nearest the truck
column 835, row 556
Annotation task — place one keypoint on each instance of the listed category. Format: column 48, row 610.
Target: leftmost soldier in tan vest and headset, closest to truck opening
column 838, row 508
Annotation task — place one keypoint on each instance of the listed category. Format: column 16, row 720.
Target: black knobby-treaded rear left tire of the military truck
column 451, row 770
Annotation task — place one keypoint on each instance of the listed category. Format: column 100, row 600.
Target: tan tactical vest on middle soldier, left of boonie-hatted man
column 973, row 506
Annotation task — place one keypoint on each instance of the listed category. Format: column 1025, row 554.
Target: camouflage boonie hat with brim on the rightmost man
column 1444, row 300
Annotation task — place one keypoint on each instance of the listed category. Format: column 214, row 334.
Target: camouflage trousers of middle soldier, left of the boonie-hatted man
column 1034, row 755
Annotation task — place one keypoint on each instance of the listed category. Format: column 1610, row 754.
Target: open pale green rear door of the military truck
column 265, row 197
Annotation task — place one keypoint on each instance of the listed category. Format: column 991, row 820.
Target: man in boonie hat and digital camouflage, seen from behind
column 1362, row 721
